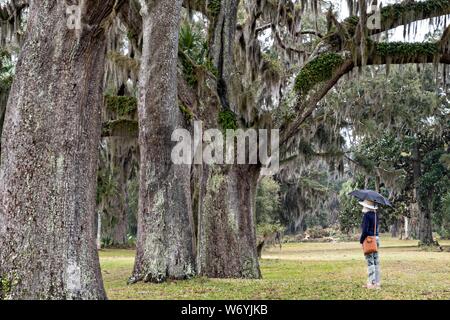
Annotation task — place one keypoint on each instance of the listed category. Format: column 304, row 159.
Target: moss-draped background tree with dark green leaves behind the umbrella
column 395, row 141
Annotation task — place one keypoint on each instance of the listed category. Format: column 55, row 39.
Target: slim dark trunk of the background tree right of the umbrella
column 425, row 223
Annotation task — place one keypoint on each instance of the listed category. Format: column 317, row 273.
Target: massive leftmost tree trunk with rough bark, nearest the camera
column 50, row 156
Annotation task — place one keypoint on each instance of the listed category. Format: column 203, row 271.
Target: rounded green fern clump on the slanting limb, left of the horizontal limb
column 316, row 71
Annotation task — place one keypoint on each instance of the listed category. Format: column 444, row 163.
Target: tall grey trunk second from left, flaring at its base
column 165, row 246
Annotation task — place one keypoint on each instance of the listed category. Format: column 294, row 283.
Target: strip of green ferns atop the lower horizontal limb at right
column 406, row 49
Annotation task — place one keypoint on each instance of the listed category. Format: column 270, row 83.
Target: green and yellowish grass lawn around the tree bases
column 301, row 271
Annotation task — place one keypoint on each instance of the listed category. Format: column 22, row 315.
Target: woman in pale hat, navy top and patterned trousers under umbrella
column 369, row 227
